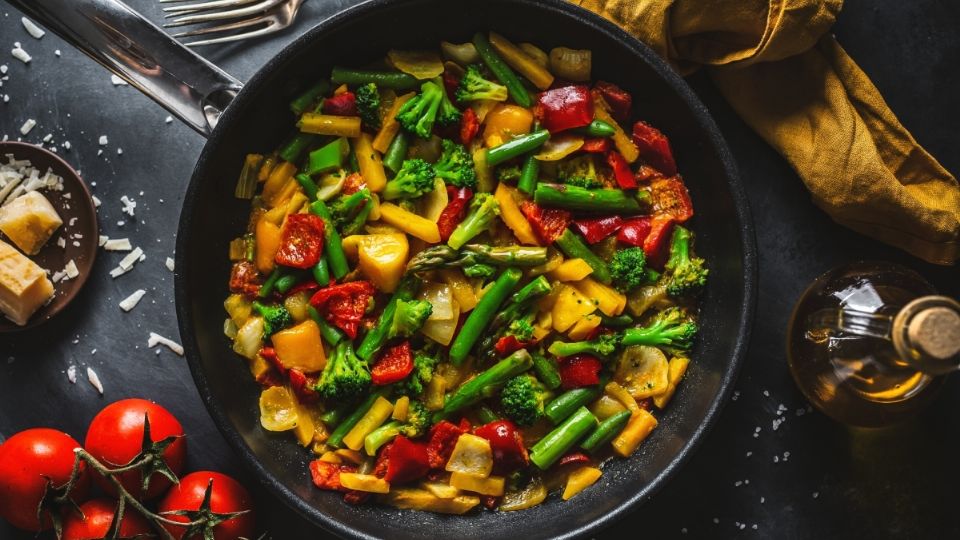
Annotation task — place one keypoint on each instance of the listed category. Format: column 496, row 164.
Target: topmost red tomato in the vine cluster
column 115, row 437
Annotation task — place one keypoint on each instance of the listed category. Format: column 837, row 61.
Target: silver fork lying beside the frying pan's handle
column 257, row 17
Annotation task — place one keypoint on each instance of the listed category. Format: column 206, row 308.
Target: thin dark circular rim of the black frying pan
column 704, row 122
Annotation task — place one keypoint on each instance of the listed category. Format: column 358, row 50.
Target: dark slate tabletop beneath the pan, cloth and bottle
column 811, row 478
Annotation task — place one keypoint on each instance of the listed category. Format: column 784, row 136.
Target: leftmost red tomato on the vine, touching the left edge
column 27, row 461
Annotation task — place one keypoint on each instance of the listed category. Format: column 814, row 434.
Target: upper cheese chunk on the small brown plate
column 29, row 221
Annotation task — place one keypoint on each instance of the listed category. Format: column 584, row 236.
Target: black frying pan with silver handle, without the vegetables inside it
column 255, row 118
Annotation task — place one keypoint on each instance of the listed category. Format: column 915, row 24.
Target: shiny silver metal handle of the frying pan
column 129, row 45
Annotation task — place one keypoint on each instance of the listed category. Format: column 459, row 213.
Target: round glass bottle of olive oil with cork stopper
column 869, row 343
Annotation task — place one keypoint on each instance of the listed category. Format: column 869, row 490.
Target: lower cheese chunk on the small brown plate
column 24, row 286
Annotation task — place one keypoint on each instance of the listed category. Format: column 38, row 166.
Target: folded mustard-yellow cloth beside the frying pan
column 798, row 89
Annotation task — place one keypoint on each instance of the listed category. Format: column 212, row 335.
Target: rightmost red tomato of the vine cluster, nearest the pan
column 227, row 496
